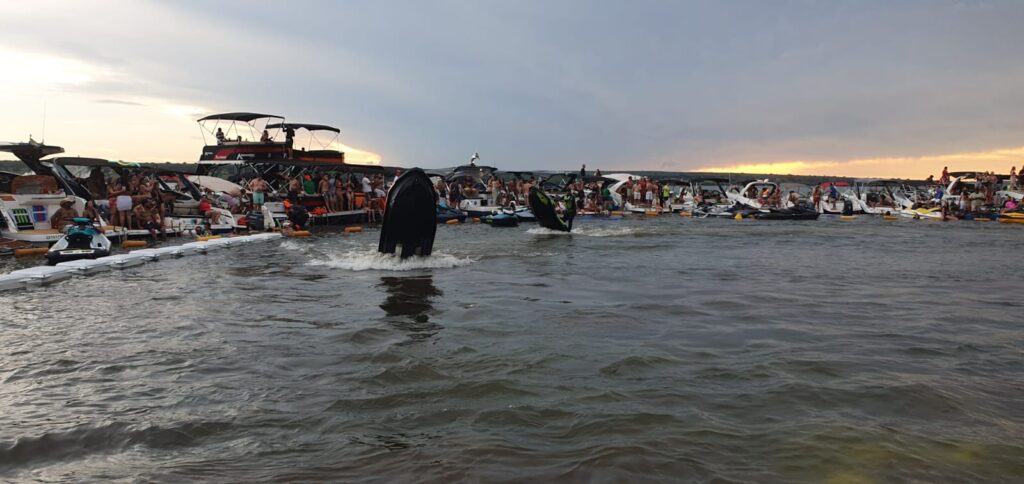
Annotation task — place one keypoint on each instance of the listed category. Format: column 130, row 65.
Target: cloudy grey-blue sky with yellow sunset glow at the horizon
column 831, row 87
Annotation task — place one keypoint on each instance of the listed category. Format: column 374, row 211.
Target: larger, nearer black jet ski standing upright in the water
column 410, row 216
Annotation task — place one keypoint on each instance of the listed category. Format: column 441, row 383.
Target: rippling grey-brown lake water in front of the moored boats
column 661, row 349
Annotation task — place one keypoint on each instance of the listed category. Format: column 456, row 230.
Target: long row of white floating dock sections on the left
column 47, row 275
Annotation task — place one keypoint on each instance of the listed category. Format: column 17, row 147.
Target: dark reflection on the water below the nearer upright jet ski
column 409, row 306
